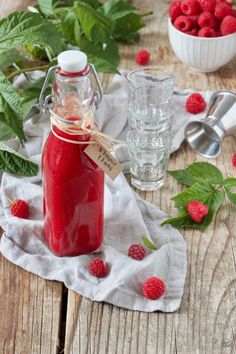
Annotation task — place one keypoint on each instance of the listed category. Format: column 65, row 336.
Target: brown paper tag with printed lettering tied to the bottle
column 104, row 159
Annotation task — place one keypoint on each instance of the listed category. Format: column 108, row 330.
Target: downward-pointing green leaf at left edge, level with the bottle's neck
column 11, row 112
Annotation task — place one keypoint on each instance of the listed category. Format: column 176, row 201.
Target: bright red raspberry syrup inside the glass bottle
column 73, row 188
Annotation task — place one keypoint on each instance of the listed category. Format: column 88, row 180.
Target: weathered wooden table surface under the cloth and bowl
column 43, row 317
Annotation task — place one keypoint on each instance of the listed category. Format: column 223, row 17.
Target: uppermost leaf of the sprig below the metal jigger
column 196, row 172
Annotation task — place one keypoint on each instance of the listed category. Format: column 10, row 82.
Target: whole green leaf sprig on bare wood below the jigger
column 207, row 185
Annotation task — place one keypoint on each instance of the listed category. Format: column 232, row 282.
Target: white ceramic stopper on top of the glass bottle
column 72, row 61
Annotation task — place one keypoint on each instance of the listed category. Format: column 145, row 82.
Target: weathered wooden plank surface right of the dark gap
column 206, row 321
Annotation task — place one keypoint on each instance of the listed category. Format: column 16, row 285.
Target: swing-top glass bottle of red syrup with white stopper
column 73, row 185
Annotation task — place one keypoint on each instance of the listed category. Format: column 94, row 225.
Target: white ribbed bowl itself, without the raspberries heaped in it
column 202, row 54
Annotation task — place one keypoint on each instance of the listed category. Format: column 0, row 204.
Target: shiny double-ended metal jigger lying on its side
column 205, row 137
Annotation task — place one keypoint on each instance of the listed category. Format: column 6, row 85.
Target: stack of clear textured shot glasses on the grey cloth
column 150, row 120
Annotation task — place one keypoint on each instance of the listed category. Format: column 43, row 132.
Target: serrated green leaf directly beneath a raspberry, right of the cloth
column 202, row 192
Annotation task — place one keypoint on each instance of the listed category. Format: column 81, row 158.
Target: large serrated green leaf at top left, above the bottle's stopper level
column 22, row 28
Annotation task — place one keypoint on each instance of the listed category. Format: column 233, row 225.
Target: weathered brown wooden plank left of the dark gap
column 30, row 306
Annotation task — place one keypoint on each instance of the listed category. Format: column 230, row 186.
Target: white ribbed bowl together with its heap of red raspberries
column 202, row 33
